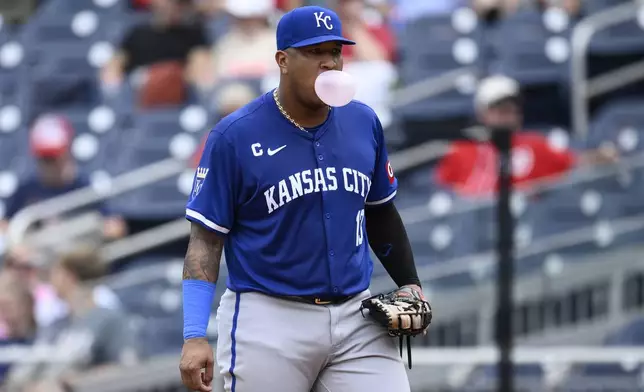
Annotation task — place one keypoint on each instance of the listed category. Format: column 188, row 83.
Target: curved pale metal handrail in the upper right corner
column 584, row 89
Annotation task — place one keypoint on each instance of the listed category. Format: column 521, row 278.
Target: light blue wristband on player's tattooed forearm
column 197, row 303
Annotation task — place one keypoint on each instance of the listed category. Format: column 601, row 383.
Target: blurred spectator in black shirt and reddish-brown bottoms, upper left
column 168, row 54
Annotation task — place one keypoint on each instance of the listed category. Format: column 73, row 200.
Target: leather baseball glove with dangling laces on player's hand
column 404, row 312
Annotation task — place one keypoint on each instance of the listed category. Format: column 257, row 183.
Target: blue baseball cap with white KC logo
column 309, row 25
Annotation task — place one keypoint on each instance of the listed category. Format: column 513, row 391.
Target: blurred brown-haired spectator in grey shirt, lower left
column 89, row 336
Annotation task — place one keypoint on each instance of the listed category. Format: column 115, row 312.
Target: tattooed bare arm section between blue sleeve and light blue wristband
column 203, row 255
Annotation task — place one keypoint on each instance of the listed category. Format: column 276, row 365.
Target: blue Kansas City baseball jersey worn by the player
column 290, row 202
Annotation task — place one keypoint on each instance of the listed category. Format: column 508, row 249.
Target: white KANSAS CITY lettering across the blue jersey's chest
column 313, row 181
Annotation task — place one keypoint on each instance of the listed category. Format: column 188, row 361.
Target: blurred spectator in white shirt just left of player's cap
column 247, row 50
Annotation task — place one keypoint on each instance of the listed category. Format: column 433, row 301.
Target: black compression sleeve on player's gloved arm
column 388, row 239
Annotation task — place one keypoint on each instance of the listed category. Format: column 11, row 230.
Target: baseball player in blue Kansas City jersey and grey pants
column 295, row 192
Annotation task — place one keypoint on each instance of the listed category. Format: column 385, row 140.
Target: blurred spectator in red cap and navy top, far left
column 57, row 173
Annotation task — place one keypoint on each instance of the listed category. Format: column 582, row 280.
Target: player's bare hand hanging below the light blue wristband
column 196, row 366
